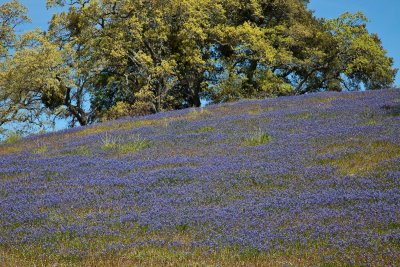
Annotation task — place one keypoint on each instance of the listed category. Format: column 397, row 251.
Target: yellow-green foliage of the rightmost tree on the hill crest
column 362, row 57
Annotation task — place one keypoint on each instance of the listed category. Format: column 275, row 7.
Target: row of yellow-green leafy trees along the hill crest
column 104, row 59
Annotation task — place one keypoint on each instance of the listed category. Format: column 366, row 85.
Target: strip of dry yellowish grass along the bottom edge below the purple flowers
column 159, row 256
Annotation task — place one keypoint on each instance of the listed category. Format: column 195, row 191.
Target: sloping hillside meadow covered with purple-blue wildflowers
column 311, row 180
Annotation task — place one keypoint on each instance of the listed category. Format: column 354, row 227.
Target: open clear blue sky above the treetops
column 384, row 18
